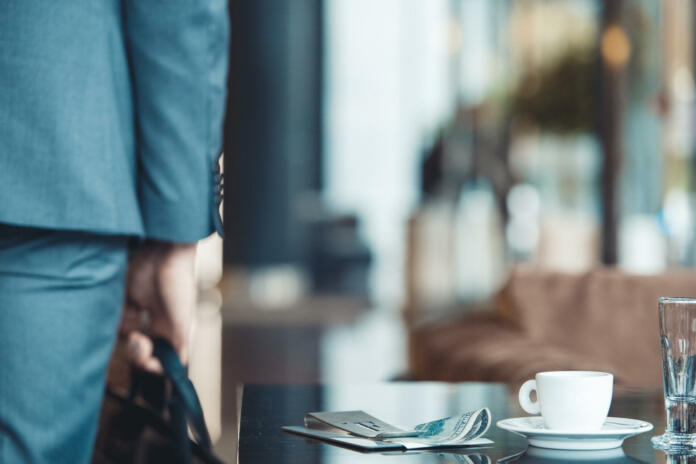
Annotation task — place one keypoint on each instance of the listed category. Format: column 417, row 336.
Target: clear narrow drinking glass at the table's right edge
column 678, row 343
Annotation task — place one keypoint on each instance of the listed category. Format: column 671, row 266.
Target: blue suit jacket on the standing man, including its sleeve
column 111, row 114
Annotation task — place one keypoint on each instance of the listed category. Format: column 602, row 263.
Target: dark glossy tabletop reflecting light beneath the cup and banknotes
column 266, row 408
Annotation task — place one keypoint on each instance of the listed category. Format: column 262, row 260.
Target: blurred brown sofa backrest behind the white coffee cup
column 603, row 315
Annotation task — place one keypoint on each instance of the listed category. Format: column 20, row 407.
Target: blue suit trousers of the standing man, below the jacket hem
column 60, row 305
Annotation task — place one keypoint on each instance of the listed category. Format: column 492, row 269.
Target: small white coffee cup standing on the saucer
column 569, row 400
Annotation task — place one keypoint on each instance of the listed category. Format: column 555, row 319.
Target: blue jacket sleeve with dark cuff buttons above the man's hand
column 178, row 53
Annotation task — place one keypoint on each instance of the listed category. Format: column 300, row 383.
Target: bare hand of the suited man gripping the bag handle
column 160, row 290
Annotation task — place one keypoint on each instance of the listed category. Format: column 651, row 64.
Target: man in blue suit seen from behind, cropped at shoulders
column 110, row 122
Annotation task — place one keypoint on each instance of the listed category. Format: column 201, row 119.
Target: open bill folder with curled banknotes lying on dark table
column 357, row 429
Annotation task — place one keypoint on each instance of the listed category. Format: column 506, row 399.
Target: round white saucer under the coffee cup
column 614, row 431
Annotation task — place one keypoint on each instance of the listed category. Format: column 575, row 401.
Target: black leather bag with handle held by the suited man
column 150, row 423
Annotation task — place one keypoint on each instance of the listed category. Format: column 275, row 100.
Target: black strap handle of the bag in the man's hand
column 184, row 406
